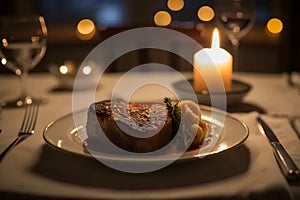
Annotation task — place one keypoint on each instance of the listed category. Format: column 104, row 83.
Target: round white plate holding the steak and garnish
column 62, row 134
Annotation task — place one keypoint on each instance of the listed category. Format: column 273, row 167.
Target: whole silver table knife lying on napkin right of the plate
column 286, row 163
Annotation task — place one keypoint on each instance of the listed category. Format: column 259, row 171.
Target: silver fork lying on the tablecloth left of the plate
column 27, row 127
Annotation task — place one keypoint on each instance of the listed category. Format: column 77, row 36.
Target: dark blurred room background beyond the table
column 259, row 52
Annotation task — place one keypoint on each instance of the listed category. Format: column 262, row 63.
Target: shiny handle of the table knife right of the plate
column 286, row 163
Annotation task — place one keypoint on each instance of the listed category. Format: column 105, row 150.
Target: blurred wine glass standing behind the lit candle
column 236, row 18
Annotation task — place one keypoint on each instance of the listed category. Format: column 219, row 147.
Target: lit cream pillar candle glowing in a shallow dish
column 208, row 62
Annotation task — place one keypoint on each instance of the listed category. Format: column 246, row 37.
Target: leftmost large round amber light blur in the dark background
column 86, row 29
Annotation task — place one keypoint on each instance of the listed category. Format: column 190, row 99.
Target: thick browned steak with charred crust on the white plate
column 100, row 113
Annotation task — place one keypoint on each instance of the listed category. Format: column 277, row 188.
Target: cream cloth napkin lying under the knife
column 264, row 162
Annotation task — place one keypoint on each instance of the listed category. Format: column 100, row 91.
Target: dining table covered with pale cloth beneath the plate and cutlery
column 249, row 170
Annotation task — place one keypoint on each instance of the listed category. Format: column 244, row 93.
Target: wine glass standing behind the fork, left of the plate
column 22, row 46
